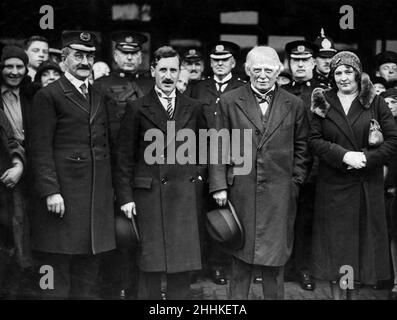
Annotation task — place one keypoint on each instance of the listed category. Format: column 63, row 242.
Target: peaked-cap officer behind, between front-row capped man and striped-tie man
column 121, row 86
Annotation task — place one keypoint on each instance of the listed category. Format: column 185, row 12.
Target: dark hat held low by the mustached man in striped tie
column 127, row 235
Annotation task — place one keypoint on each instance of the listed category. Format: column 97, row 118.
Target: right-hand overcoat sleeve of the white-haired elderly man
column 301, row 158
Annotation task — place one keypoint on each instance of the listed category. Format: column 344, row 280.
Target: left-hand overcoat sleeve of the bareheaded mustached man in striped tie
column 126, row 149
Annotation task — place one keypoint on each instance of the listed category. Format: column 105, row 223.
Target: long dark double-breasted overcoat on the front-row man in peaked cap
column 71, row 157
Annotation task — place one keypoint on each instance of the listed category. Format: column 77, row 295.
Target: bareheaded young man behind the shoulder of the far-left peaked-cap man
column 36, row 48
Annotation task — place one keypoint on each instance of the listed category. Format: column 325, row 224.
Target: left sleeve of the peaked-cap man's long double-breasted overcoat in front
column 43, row 125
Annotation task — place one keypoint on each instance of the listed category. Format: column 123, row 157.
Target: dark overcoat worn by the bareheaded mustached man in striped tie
column 165, row 194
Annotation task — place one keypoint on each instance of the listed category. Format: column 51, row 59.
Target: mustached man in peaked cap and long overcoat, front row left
column 73, row 220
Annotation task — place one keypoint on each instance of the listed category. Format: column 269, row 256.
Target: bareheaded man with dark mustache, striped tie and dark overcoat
column 161, row 191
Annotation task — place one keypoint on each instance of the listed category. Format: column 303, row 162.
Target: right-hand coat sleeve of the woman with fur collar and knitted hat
column 382, row 154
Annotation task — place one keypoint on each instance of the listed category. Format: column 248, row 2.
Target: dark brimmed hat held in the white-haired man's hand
column 223, row 225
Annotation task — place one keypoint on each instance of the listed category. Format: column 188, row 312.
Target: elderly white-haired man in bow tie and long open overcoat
column 265, row 199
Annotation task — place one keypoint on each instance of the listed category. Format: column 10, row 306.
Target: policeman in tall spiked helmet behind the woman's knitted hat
column 323, row 59
